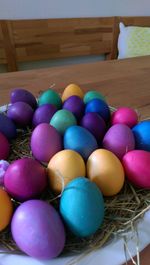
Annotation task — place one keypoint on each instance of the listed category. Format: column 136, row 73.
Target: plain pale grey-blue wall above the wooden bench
column 72, row 8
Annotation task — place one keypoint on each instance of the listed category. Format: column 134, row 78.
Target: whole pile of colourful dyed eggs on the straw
column 86, row 149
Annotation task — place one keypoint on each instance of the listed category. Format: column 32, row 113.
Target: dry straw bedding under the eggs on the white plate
column 121, row 213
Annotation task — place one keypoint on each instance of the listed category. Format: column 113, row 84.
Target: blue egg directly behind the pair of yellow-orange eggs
column 80, row 140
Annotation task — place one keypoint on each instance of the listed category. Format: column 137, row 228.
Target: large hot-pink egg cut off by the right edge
column 136, row 164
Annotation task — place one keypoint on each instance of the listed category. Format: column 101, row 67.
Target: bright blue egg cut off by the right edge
column 142, row 135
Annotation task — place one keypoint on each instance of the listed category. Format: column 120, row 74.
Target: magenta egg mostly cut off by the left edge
column 4, row 146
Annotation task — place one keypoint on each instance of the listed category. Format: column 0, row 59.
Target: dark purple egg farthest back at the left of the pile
column 23, row 95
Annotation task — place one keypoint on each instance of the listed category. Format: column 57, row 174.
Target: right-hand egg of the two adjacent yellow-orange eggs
column 106, row 170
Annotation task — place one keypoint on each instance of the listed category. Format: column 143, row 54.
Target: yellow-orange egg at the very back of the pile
column 72, row 90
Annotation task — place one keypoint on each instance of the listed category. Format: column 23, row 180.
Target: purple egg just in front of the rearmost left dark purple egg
column 21, row 113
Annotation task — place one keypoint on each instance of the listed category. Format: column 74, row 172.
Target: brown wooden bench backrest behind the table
column 45, row 39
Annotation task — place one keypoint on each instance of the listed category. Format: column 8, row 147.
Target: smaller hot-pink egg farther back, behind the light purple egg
column 126, row 116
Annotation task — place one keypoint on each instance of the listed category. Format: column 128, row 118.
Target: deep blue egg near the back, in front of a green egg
column 99, row 106
